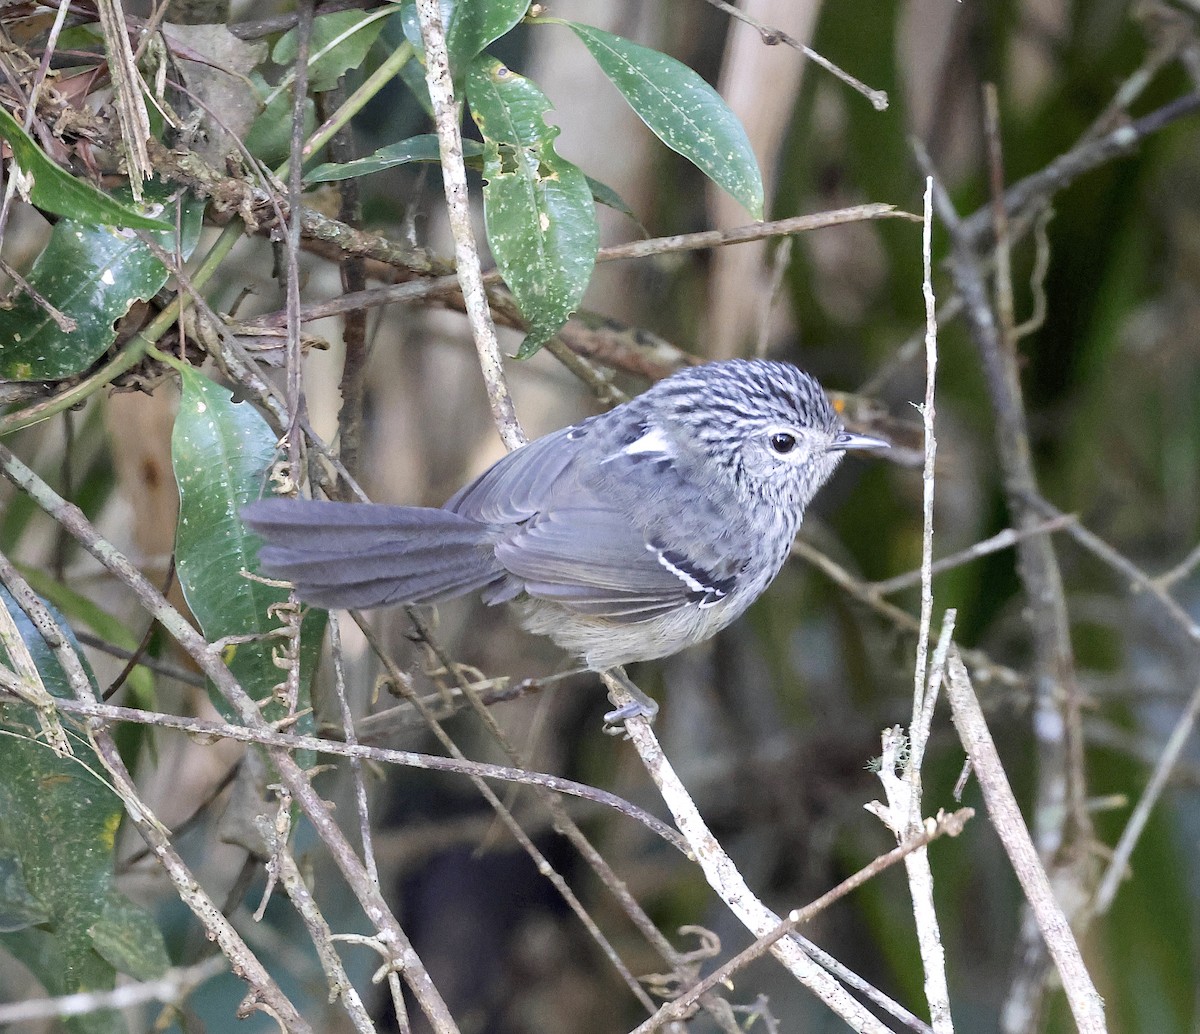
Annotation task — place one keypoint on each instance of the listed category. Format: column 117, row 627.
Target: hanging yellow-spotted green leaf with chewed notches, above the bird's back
column 542, row 223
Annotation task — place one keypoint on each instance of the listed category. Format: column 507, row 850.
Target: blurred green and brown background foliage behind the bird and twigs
column 775, row 724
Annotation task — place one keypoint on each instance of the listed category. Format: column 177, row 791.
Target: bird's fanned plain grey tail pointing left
column 351, row 556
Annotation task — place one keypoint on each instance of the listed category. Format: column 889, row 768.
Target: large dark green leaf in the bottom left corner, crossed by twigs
column 58, row 823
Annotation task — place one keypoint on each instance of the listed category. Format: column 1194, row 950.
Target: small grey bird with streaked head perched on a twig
column 625, row 538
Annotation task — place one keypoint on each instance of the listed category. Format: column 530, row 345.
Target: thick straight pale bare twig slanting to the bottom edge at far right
column 1085, row 1003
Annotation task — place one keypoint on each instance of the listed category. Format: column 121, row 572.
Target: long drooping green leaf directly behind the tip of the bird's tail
column 223, row 454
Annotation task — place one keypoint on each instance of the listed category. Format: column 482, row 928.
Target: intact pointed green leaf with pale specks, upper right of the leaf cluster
column 682, row 111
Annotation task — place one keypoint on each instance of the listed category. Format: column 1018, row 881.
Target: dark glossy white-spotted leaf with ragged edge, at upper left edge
column 92, row 274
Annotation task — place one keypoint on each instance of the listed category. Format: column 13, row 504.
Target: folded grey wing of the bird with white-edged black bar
column 595, row 561
